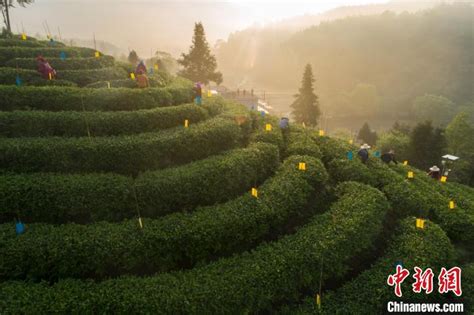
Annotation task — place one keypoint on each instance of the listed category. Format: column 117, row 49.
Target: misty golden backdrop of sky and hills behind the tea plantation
column 374, row 61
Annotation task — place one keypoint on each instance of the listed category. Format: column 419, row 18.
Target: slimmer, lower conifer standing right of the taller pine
column 306, row 105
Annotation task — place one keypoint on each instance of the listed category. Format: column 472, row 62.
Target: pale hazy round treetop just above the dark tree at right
column 438, row 109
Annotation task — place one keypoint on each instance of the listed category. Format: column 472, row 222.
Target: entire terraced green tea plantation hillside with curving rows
column 139, row 201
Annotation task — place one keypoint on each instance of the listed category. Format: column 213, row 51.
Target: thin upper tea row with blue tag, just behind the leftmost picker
column 8, row 53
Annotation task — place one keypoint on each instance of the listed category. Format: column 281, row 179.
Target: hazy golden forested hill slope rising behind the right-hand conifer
column 385, row 60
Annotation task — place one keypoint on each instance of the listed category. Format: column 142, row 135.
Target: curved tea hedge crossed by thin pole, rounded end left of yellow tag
column 56, row 198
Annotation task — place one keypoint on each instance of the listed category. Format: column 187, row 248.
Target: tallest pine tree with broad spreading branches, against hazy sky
column 199, row 65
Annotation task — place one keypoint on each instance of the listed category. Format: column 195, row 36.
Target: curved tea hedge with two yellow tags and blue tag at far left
column 177, row 240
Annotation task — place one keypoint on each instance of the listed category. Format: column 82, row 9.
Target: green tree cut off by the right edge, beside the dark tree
column 460, row 139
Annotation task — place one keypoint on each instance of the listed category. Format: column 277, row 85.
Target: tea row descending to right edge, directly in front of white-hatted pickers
column 419, row 196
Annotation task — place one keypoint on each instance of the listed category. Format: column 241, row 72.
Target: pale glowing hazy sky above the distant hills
column 158, row 24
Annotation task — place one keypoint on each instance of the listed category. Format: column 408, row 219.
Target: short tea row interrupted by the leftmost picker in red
column 64, row 64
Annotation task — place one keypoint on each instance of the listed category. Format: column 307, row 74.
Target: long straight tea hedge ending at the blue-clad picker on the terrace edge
column 64, row 99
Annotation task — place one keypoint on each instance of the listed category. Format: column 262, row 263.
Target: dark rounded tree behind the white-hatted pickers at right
column 427, row 145
